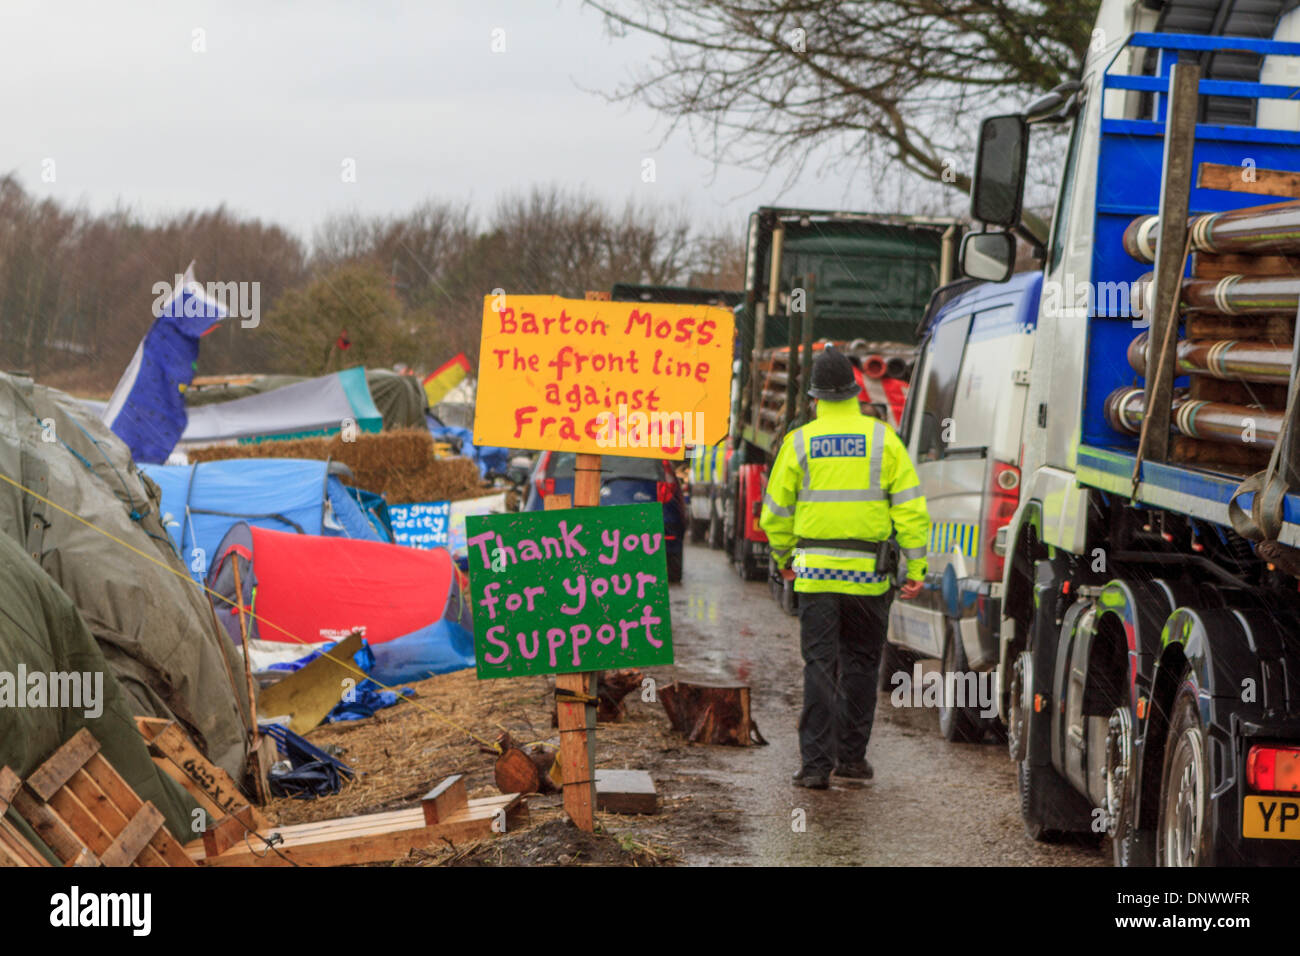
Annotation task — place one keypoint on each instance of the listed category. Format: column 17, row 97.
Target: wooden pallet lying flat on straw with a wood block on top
column 445, row 815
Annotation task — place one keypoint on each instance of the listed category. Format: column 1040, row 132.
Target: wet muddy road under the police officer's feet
column 933, row 803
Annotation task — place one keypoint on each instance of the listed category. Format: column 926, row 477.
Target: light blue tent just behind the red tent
column 202, row 501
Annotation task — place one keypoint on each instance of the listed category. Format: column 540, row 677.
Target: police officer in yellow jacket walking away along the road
column 839, row 488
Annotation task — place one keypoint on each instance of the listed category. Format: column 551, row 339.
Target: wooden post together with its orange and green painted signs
column 591, row 378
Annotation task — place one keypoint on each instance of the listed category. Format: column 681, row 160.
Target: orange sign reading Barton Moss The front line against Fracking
column 636, row 379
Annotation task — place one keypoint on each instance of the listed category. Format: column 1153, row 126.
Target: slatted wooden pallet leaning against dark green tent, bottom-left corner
column 88, row 815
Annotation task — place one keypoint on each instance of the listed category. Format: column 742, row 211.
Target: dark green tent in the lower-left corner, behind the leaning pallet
column 41, row 633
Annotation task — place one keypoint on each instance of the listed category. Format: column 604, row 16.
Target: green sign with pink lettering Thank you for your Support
column 567, row 591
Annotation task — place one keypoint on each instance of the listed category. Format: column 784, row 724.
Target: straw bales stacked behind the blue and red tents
column 400, row 465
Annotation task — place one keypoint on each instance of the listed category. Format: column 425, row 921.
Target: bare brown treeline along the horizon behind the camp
column 77, row 288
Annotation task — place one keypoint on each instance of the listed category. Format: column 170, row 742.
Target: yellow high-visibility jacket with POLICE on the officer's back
column 839, row 487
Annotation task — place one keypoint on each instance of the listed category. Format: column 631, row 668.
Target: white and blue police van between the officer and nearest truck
column 963, row 429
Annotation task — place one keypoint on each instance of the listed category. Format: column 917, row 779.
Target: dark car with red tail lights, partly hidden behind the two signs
column 623, row 482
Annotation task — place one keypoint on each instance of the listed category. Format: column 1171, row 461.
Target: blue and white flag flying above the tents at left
column 148, row 409
